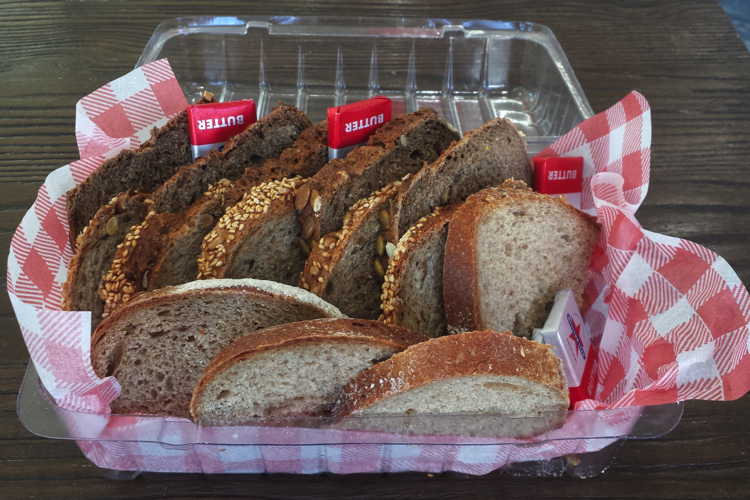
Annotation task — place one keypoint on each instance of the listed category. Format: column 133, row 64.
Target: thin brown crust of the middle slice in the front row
column 342, row 330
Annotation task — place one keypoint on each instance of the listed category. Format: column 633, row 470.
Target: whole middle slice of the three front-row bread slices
column 291, row 370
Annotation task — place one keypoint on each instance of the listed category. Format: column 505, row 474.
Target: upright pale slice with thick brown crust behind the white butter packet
column 509, row 251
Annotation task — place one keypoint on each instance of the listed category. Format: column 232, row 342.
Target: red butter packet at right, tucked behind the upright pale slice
column 560, row 176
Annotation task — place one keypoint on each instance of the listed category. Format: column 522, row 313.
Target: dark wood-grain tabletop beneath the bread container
column 684, row 56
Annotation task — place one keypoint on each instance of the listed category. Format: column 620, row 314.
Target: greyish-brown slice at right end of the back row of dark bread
column 484, row 157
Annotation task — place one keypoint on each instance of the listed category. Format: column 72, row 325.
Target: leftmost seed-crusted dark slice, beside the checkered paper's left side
column 95, row 248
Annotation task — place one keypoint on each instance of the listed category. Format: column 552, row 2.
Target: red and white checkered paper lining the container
column 671, row 318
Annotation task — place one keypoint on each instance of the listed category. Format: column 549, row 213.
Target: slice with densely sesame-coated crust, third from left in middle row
column 257, row 237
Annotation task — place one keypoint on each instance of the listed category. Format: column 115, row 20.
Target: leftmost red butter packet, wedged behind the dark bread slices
column 211, row 125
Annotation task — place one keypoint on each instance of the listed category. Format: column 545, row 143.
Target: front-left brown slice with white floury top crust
column 159, row 343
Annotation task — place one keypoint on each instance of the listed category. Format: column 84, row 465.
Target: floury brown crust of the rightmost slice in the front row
column 463, row 355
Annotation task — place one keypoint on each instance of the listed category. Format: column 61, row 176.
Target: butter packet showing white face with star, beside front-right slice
column 570, row 338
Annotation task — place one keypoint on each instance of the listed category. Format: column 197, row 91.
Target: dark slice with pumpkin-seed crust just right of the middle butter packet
column 399, row 147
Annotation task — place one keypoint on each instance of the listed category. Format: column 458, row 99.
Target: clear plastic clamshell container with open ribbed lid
column 469, row 71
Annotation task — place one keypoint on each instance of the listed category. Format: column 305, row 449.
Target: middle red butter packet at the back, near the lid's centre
column 351, row 124
